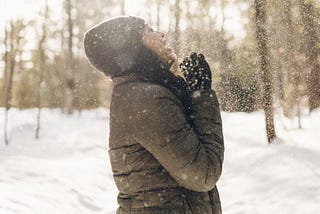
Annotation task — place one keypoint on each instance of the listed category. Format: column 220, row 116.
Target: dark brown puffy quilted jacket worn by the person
column 162, row 161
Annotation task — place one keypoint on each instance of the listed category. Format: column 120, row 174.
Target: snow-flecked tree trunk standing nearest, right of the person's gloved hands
column 260, row 6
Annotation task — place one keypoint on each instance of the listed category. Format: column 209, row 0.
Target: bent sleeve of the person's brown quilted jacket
column 192, row 155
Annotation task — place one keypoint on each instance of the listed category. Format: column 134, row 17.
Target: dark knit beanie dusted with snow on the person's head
column 114, row 45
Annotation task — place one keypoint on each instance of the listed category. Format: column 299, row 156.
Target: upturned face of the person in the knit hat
column 156, row 41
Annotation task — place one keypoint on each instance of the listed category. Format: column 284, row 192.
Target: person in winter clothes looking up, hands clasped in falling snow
column 166, row 143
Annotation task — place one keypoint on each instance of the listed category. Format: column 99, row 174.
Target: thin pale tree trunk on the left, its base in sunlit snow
column 41, row 67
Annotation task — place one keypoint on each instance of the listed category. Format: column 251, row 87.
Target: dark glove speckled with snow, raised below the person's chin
column 196, row 72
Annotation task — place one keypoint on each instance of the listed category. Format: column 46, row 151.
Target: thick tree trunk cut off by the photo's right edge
column 312, row 52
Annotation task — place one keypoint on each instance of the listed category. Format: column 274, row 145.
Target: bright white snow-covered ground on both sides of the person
column 67, row 170
